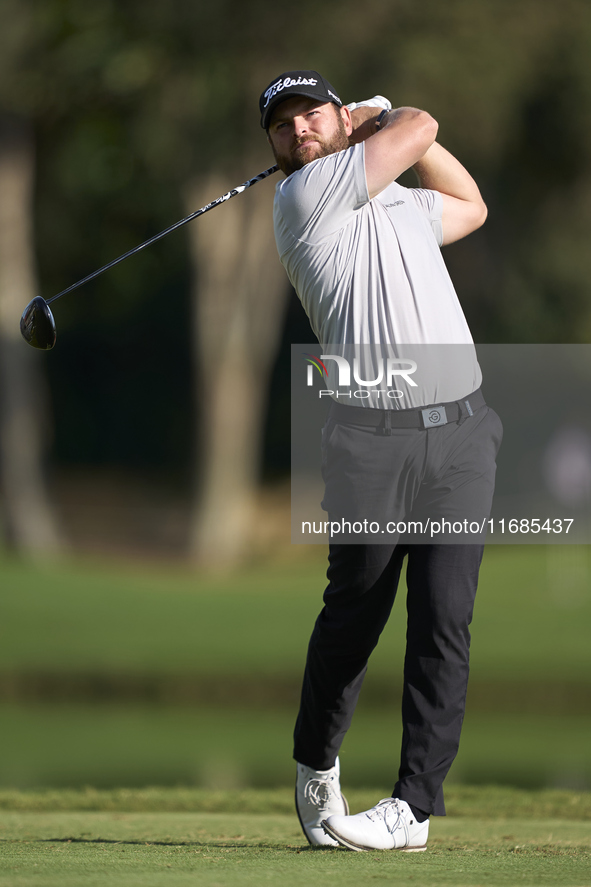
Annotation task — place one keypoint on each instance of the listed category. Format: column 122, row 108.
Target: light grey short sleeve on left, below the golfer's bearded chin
column 321, row 198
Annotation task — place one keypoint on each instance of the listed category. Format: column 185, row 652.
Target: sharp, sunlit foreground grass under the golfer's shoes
column 504, row 838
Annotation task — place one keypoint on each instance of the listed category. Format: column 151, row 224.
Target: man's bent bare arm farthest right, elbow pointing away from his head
column 464, row 209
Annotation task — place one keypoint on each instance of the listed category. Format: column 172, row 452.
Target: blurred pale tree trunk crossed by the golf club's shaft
column 239, row 300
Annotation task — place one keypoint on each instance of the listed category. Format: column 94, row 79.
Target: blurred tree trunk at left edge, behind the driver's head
column 28, row 522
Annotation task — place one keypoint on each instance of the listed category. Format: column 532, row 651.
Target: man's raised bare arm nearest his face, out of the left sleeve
column 404, row 136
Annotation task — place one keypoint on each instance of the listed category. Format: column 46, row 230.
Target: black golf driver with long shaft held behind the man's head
column 37, row 323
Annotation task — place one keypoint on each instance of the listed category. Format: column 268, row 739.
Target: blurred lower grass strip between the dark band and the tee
column 233, row 747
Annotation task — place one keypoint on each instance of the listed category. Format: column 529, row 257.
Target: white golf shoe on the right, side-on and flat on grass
column 390, row 825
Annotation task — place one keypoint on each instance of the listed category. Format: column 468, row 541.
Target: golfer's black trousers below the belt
column 447, row 471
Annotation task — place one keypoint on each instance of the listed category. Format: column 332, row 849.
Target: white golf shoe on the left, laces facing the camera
column 318, row 796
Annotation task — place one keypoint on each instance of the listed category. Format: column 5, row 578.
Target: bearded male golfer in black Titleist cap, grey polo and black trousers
column 363, row 254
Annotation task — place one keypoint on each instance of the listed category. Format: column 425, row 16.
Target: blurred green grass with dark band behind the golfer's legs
column 527, row 720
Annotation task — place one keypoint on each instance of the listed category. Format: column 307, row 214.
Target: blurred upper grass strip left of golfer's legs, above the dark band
column 116, row 618
